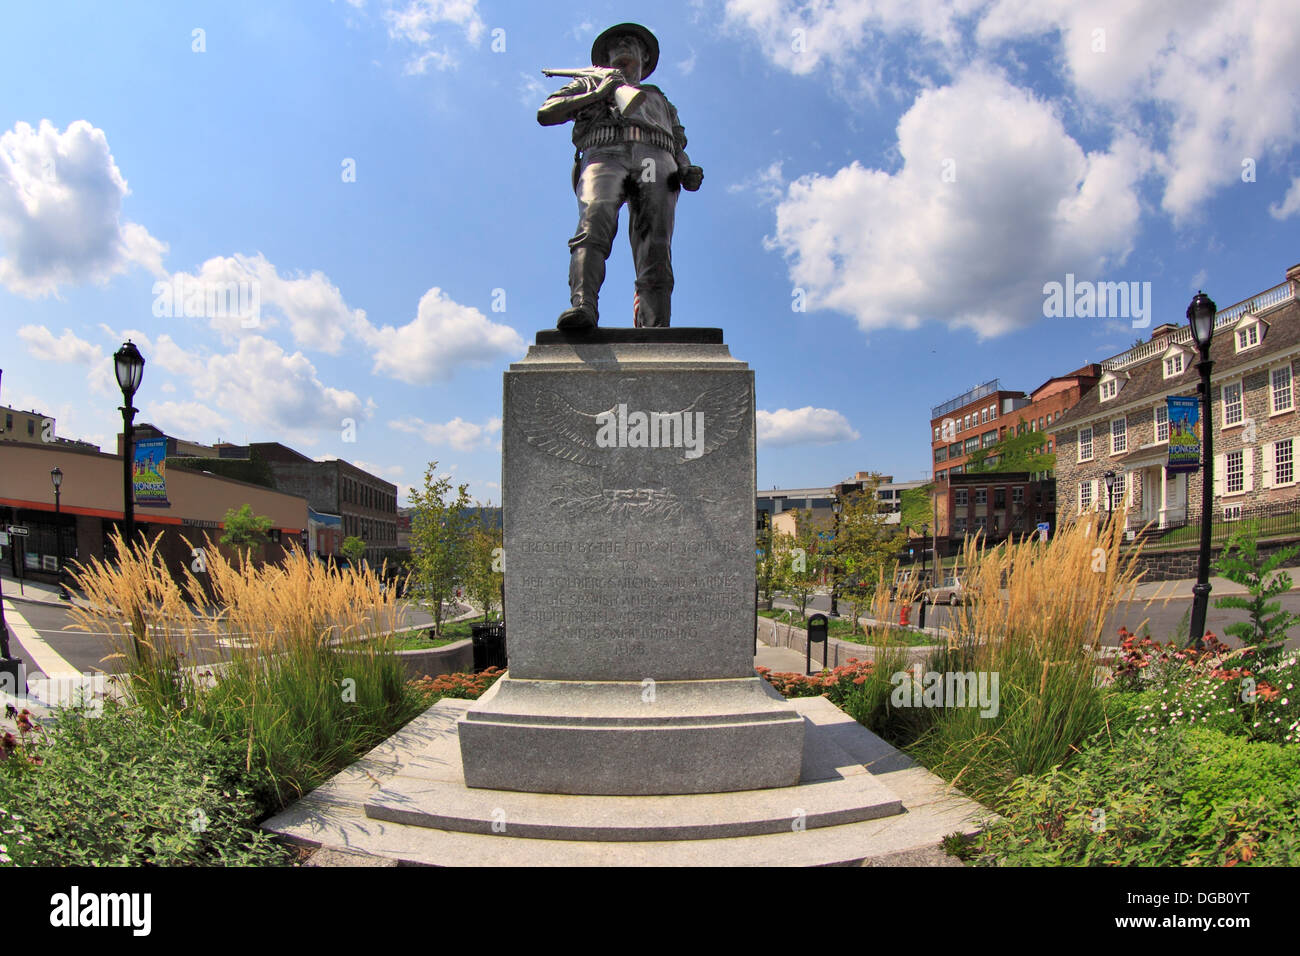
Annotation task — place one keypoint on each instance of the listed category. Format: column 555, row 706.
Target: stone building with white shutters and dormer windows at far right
column 1123, row 425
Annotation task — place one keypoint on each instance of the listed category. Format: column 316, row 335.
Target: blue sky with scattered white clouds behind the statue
column 912, row 171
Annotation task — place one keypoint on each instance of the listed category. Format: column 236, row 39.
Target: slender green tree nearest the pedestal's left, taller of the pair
column 441, row 526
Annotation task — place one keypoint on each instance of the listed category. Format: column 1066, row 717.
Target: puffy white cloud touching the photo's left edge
column 60, row 211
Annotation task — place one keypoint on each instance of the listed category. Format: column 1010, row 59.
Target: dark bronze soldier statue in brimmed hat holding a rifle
column 630, row 149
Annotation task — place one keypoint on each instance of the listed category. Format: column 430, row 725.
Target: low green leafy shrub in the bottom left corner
column 124, row 790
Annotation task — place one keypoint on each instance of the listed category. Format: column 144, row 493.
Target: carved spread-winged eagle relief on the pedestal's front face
column 631, row 448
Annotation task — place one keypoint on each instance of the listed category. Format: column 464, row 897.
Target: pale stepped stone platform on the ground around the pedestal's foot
column 859, row 802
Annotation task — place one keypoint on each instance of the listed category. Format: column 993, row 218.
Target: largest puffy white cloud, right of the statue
column 1024, row 207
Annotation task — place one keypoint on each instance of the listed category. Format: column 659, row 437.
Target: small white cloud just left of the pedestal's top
column 443, row 338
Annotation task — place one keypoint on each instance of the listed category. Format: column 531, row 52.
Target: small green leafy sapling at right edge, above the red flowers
column 1241, row 563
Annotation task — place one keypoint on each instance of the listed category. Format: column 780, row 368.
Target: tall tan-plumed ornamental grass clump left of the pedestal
column 292, row 660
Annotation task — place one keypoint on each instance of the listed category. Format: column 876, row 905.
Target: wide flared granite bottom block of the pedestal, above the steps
column 631, row 738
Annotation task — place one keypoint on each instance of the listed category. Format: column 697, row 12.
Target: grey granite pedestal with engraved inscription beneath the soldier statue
column 629, row 494
